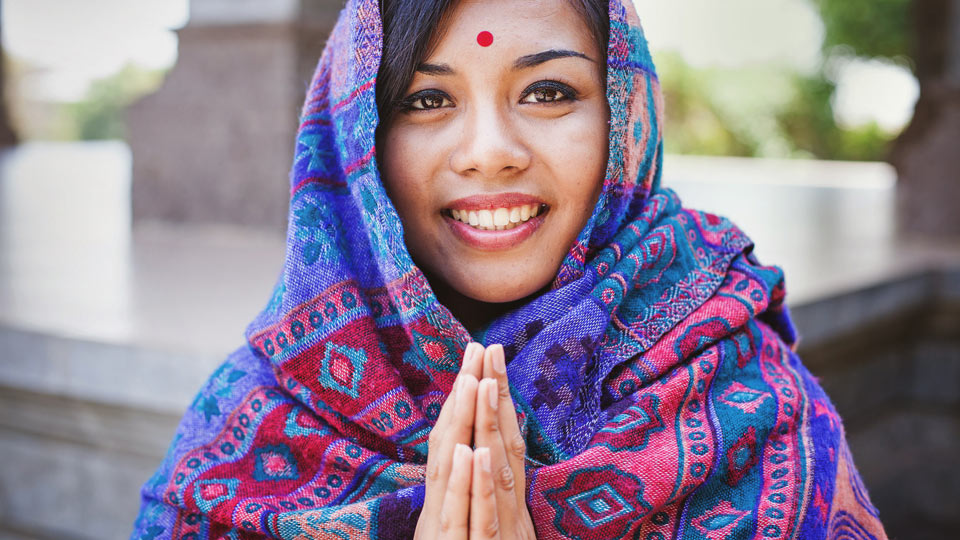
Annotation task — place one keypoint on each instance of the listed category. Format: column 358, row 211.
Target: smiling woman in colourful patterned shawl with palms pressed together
column 493, row 322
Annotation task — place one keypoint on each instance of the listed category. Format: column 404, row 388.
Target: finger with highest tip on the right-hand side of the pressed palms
column 494, row 366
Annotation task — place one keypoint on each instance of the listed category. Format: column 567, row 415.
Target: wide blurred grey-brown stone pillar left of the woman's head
column 215, row 143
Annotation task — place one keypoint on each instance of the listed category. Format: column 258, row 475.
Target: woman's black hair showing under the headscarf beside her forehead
column 408, row 31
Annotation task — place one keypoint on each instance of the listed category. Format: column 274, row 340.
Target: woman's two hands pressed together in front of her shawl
column 477, row 493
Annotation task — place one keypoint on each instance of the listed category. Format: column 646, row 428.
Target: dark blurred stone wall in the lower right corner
column 895, row 380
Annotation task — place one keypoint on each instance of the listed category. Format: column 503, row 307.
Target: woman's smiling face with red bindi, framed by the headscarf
column 497, row 156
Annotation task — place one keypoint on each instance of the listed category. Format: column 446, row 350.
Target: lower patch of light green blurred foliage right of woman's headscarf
column 760, row 112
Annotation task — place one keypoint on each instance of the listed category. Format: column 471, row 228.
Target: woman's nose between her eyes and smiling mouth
column 490, row 145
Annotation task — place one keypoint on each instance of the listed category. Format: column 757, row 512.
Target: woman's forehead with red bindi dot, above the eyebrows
column 517, row 27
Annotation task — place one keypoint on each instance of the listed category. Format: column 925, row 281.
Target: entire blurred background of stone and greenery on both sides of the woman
column 143, row 203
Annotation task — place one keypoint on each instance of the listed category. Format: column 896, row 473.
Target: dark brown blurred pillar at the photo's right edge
column 927, row 154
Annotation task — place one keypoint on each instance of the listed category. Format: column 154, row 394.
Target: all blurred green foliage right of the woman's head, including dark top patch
column 770, row 111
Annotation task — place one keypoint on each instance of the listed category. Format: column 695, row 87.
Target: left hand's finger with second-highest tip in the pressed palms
column 444, row 439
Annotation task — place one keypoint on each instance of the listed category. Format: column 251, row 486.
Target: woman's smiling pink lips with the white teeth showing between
column 495, row 222
